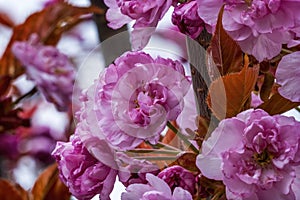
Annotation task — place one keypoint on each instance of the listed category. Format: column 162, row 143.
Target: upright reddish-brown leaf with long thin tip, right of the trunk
column 226, row 53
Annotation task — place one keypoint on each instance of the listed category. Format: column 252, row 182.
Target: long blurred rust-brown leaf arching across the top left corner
column 49, row 24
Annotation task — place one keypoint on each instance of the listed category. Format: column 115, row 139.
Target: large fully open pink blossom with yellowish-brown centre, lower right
column 255, row 155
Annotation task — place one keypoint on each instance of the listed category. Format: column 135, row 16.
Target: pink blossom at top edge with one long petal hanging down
column 146, row 14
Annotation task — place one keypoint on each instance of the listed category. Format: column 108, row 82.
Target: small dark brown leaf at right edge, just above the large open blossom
column 277, row 104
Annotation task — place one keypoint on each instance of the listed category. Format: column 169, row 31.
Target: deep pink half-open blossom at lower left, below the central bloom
column 84, row 175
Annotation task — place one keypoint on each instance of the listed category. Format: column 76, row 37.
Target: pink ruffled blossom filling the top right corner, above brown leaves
column 260, row 26
